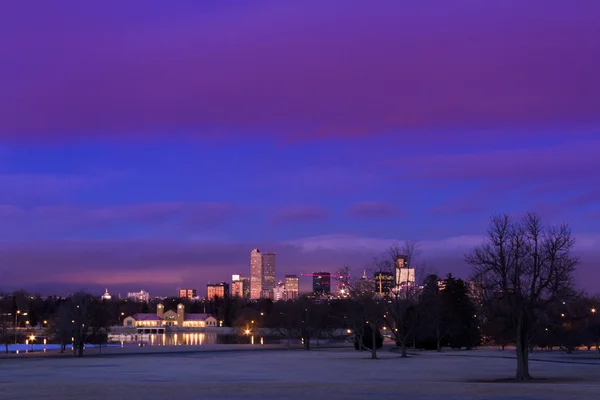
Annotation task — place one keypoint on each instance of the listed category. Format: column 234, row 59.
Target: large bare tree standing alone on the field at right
column 527, row 266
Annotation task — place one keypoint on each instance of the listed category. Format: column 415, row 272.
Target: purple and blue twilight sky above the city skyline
column 145, row 145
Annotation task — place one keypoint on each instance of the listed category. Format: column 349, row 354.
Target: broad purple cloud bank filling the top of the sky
column 202, row 70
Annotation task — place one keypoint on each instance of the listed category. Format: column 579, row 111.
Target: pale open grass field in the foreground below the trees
column 326, row 373
